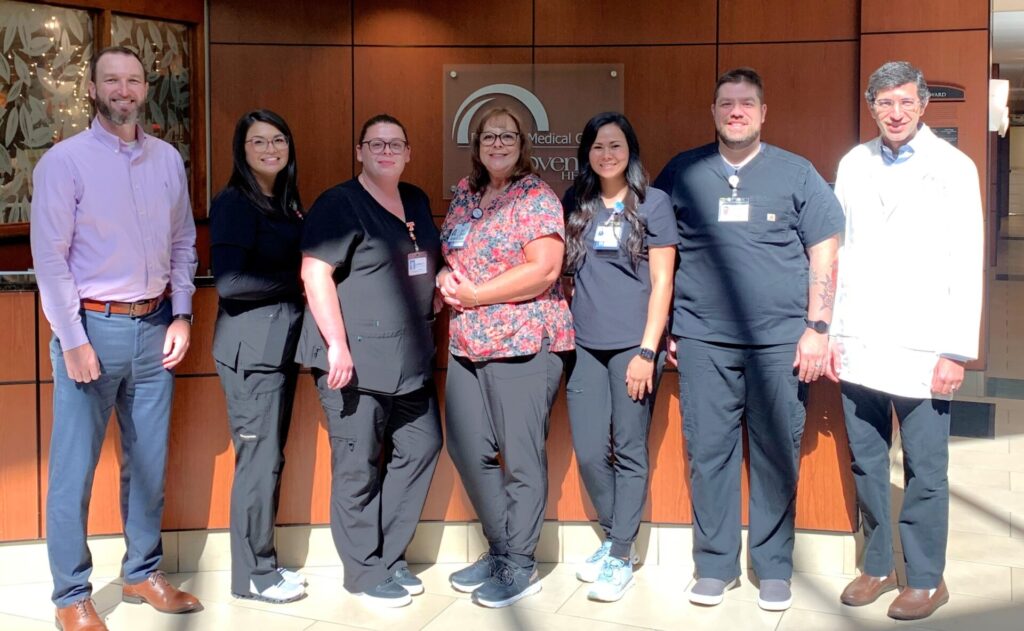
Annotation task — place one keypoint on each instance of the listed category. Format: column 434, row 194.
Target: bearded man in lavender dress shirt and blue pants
column 113, row 242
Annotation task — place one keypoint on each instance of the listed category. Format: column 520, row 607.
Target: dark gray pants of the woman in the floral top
column 501, row 409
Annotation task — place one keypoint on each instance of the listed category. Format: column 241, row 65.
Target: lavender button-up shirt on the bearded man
column 111, row 222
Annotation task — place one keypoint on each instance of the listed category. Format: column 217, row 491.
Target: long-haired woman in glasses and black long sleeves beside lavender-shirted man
column 255, row 228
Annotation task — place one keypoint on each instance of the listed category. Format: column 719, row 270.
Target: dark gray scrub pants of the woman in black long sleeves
column 260, row 412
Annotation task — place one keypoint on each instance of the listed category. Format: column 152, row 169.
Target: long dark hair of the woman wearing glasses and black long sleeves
column 286, row 190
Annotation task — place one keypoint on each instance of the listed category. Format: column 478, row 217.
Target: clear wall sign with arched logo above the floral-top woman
column 554, row 102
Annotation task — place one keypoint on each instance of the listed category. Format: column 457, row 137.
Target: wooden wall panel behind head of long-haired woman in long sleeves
column 311, row 88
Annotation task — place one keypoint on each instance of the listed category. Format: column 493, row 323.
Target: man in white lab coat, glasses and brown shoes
column 906, row 321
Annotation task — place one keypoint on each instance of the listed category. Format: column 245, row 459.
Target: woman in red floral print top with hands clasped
column 503, row 241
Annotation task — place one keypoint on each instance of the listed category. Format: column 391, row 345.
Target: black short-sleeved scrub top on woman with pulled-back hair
column 389, row 314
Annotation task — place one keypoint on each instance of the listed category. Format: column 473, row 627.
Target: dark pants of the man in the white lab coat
column 924, row 520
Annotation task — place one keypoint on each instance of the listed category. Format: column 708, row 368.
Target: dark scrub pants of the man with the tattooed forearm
column 718, row 386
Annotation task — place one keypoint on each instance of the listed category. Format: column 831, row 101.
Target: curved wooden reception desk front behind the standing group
column 201, row 460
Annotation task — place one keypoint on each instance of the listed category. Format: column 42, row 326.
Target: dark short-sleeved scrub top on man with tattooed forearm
column 746, row 282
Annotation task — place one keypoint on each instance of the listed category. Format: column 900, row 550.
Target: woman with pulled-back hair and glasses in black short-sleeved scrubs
column 371, row 253
